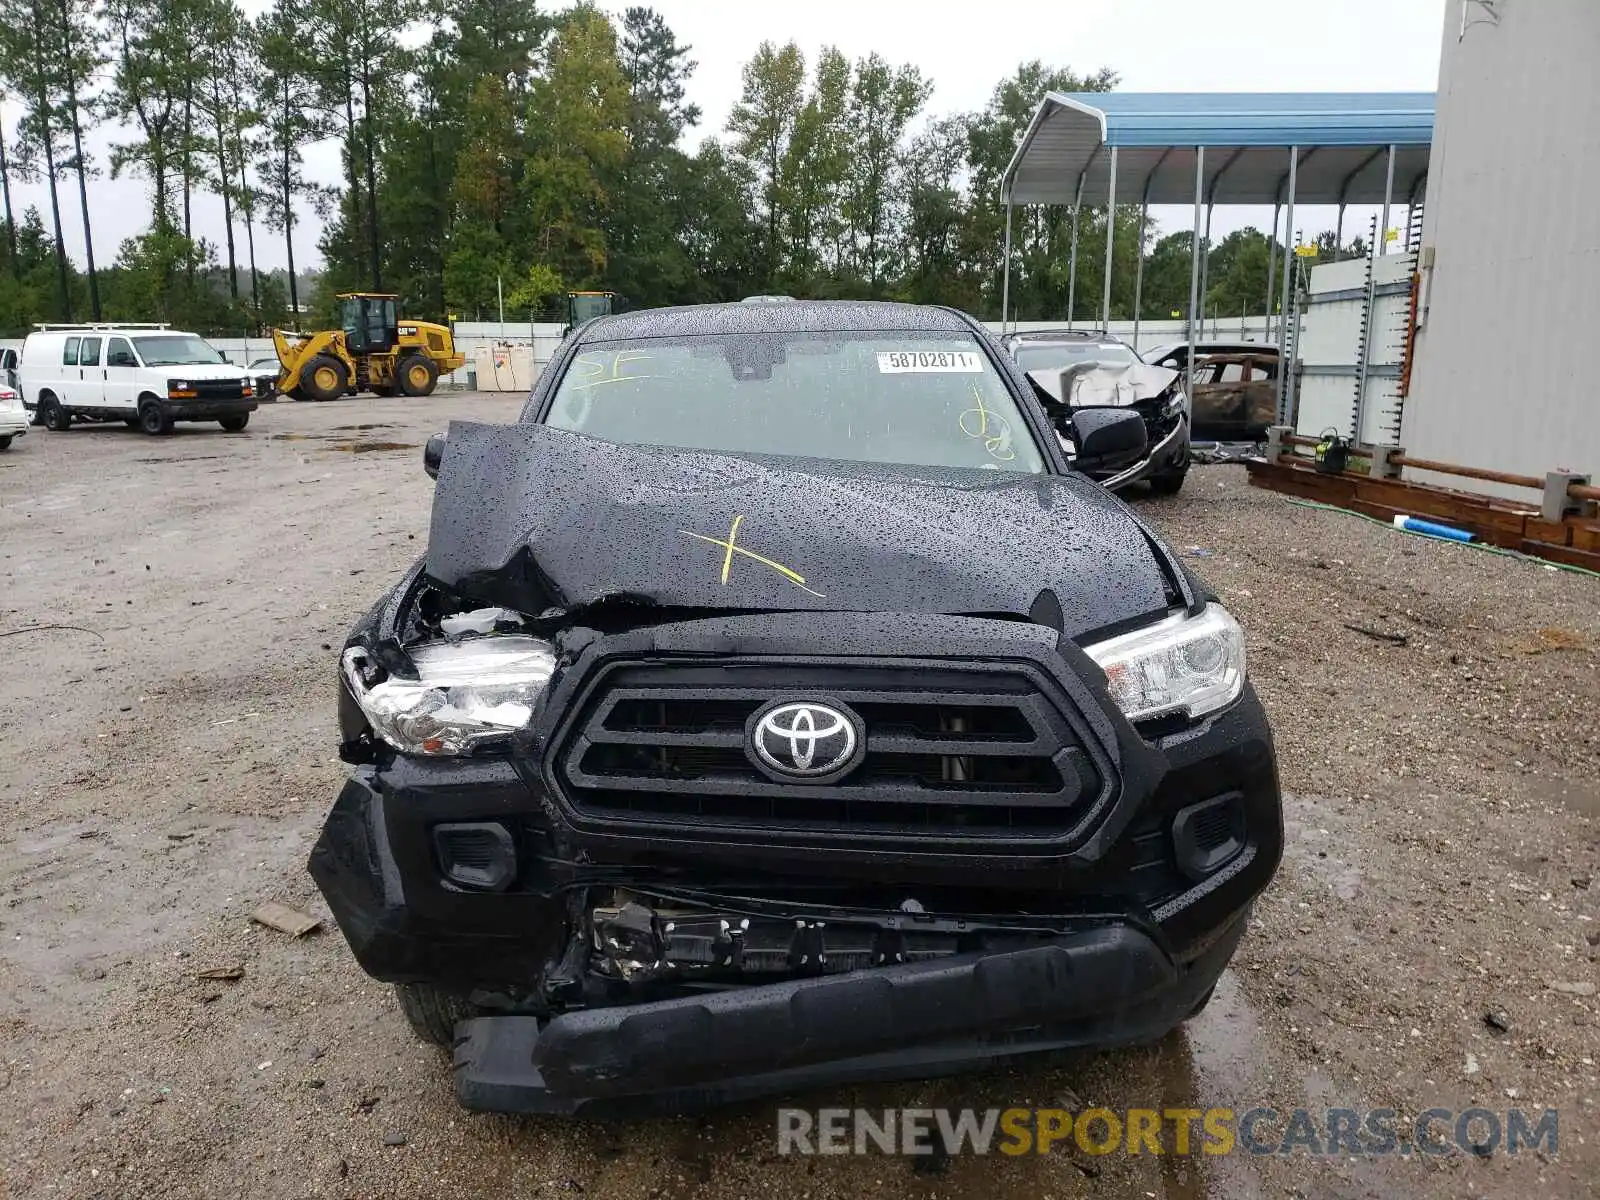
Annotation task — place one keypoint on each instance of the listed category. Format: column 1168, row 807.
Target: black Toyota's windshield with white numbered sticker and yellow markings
column 866, row 398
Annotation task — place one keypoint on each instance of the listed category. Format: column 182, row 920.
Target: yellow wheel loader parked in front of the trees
column 372, row 351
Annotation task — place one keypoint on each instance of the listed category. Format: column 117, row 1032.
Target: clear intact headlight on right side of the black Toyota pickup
column 1193, row 665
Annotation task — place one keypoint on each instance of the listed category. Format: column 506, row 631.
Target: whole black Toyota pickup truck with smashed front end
column 775, row 705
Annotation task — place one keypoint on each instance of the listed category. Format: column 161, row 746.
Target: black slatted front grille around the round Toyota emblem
column 950, row 751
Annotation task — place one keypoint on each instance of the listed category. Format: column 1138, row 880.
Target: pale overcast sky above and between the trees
column 1154, row 46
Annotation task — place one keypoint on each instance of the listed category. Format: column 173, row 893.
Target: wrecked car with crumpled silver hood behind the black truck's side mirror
column 1092, row 369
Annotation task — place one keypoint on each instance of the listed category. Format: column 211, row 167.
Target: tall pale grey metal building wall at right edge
column 1505, row 362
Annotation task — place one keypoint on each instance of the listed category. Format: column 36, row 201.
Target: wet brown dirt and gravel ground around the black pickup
column 1431, row 938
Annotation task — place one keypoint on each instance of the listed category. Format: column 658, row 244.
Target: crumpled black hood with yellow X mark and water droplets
column 540, row 519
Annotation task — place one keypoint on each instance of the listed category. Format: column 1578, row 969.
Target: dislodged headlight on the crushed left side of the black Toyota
column 465, row 694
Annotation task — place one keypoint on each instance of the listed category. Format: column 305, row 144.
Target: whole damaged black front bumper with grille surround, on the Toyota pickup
column 1124, row 932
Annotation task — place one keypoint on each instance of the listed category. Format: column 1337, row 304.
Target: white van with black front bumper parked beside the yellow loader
column 143, row 375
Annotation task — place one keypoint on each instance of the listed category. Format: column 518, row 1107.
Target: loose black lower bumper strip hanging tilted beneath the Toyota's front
column 1102, row 988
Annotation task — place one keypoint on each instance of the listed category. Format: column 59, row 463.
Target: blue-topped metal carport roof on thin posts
column 1342, row 143
